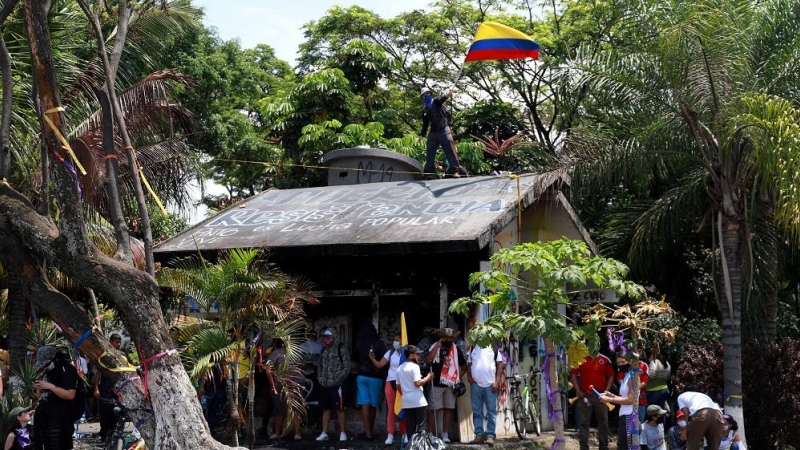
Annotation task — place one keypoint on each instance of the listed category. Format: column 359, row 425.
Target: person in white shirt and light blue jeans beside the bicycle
column 484, row 366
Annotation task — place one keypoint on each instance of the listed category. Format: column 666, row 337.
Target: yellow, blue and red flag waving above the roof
column 496, row 41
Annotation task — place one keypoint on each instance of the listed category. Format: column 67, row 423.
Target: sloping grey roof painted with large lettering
column 442, row 215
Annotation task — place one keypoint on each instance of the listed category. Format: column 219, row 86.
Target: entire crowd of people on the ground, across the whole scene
column 424, row 380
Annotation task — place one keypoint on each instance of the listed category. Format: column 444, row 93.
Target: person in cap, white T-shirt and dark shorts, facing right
column 410, row 382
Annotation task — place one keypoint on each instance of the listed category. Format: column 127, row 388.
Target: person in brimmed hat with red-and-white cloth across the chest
column 445, row 359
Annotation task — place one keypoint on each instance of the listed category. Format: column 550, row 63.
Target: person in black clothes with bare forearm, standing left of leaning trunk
column 55, row 386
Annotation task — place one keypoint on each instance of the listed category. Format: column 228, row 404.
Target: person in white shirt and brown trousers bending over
column 705, row 419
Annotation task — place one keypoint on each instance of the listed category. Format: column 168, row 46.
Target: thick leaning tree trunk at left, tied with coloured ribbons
column 178, row 417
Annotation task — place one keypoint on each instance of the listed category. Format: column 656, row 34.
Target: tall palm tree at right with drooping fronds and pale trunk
column 702, row 89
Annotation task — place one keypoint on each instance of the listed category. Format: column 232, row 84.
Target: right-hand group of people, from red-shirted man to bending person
column 693, row 422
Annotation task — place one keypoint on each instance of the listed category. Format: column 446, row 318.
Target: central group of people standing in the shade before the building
column 427, row 379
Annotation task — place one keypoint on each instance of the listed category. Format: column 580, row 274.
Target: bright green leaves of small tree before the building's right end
column 526, row 285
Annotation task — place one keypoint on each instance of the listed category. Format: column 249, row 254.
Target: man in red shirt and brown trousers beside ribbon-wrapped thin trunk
column 595, row 372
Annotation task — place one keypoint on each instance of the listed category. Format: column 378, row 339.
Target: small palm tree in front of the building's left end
column 255, row 303
